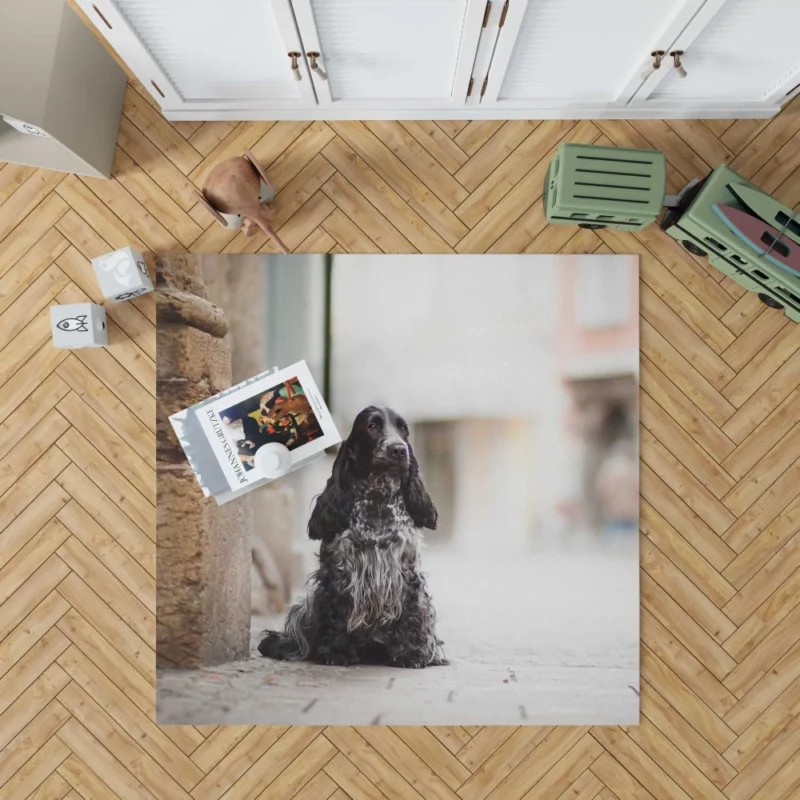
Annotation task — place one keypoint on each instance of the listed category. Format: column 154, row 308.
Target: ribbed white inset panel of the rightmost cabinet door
column 748, row 48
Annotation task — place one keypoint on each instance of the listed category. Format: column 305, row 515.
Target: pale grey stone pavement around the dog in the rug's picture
column 560, row 645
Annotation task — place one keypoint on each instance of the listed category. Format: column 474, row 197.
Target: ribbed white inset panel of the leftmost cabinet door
column 211, row 50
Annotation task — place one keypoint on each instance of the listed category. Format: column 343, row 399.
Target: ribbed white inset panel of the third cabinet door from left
column 581, row 49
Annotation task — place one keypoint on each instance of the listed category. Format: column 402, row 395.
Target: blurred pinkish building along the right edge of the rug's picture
column 598, row 367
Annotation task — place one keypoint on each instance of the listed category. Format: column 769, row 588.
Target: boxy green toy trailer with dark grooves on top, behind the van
column 605, row 187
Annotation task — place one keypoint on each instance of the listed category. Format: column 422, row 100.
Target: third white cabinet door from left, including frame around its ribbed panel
column 563, row 54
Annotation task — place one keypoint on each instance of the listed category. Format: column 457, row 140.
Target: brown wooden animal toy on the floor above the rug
column 238, row 193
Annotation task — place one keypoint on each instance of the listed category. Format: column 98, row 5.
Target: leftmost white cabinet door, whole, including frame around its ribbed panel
column 207, row 54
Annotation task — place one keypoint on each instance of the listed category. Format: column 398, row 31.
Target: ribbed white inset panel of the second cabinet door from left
column 389, row 49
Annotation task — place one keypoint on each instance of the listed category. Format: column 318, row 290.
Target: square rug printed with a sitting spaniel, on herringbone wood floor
column 463, row 552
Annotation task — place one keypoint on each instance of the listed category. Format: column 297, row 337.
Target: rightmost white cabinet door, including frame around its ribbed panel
column 735, row 52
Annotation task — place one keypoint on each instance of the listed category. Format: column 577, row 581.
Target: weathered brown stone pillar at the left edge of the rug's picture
column 203, row 575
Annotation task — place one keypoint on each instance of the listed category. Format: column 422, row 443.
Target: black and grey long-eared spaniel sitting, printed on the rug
column 368, row 602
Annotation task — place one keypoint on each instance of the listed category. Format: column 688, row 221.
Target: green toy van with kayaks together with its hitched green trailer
column 612, row 187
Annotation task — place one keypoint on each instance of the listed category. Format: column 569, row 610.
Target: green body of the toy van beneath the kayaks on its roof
column 696, row 225
